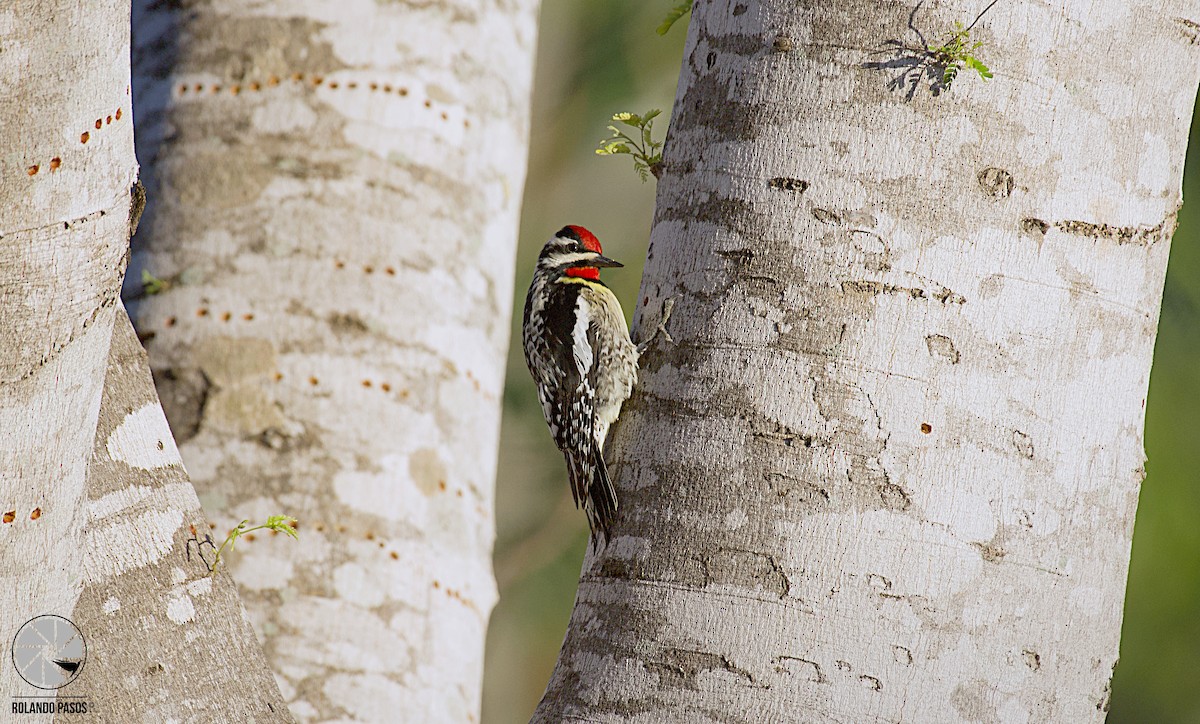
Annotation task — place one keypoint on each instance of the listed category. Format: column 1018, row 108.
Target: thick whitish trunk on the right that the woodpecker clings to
column 891, row 469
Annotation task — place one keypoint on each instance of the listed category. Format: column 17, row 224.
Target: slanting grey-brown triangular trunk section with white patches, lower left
column 166, row 642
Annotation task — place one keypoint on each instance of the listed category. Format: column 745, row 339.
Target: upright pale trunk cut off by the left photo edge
column 65, row 179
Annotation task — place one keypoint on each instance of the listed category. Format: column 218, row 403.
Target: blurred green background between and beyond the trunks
column 598, row 58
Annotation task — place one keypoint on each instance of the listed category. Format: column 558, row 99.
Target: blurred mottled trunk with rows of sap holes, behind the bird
column 338, row 189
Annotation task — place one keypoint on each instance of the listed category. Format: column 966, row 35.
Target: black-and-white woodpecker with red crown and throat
column 583, row 361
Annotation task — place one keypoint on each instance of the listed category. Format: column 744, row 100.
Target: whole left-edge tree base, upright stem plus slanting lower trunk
column 99, row 538
